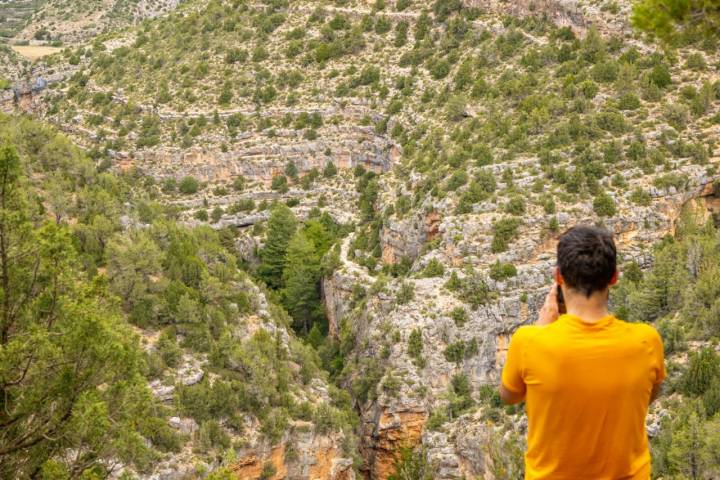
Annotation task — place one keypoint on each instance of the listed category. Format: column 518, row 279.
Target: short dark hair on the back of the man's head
column 587, row 258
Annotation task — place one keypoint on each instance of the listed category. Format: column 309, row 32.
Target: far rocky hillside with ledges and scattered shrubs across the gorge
column 465, row 139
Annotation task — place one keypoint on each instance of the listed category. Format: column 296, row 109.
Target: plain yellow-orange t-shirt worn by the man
column 588, row 387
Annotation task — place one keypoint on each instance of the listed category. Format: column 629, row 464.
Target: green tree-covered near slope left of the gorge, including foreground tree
column 88, row 259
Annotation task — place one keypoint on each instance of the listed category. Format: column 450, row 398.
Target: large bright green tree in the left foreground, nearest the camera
column 70, row 367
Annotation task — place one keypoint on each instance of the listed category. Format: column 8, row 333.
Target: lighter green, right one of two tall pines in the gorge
column 301, row 295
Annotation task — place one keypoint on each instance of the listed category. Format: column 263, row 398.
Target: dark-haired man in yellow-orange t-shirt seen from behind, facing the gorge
column 587, row 378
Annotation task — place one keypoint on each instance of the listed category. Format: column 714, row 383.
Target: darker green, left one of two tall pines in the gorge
column 281, row 227
